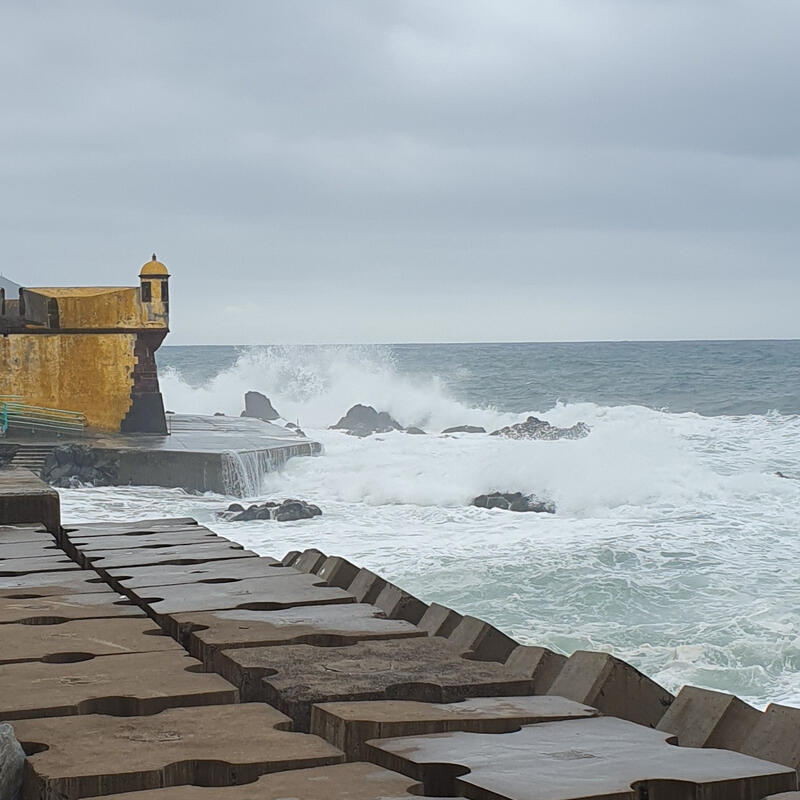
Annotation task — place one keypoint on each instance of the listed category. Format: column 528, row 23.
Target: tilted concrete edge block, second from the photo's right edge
column 702, row 718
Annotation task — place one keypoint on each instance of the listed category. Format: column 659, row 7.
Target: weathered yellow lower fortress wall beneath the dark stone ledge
column 90, row 373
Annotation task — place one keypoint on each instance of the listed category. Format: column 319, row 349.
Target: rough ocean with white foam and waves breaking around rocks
column 675, row 545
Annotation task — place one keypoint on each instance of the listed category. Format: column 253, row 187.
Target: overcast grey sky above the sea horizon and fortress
column 411, row 170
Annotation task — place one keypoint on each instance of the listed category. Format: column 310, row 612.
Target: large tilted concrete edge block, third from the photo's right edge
column 612, row 686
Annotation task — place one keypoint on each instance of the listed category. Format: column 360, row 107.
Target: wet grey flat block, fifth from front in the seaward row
column 255, row 594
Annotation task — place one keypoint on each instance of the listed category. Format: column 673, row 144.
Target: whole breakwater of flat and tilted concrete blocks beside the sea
column 171, row 664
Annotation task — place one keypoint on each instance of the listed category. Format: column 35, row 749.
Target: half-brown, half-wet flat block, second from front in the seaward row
column 349, row 725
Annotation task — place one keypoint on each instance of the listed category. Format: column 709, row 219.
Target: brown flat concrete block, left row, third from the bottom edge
column 142, row 683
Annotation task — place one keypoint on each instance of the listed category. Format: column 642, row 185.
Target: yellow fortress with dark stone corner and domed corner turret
column 88, row 349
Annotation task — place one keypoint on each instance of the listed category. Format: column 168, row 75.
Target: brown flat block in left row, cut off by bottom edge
column 356, row 781
